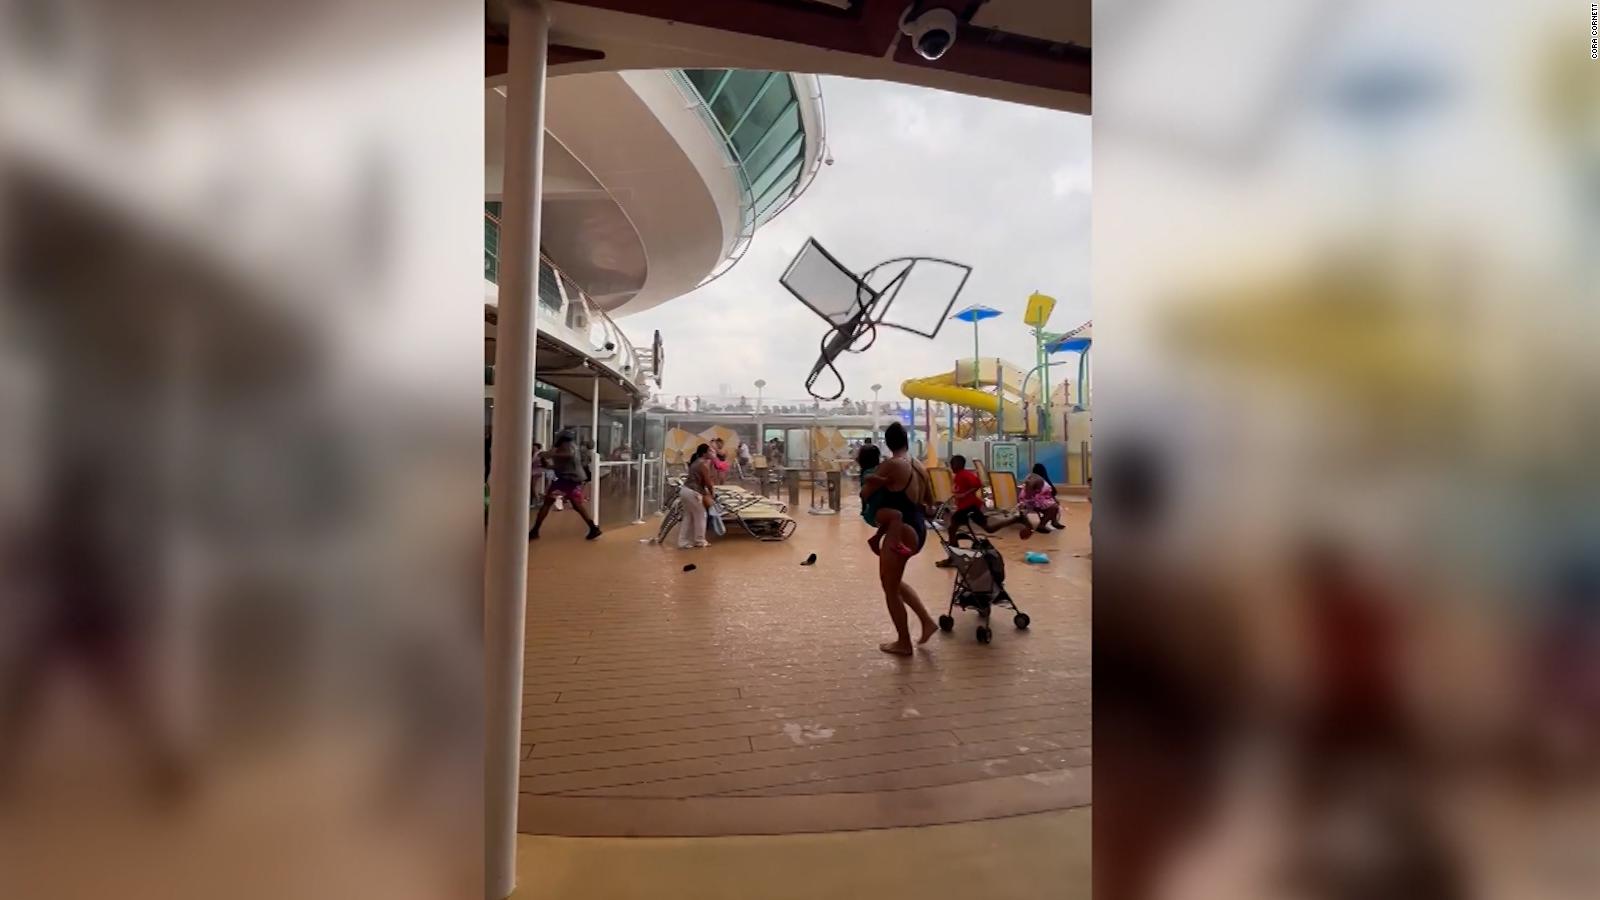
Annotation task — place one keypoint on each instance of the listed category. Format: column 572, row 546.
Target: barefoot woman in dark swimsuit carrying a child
column 900, row 489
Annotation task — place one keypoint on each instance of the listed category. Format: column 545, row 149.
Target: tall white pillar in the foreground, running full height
column 506, row 552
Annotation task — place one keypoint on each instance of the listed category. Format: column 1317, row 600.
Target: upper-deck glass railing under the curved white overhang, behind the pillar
column 567, row 313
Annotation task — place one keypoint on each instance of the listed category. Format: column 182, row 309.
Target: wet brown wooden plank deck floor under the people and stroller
column 748, row 697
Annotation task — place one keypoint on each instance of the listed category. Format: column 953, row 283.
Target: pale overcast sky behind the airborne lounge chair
column 916, row 172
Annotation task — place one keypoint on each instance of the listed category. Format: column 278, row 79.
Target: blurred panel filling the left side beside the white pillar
column 239, row 592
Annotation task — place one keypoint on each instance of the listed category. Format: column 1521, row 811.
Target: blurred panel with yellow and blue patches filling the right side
column 1348, row 537
